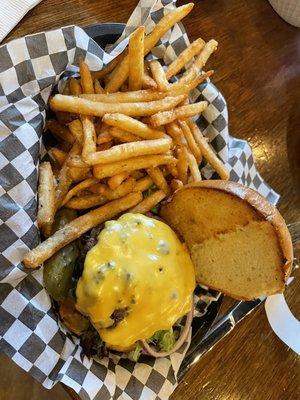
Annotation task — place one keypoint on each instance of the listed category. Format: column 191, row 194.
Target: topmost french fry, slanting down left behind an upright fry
column 120, row 73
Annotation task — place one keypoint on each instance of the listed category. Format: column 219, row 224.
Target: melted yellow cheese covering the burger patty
column 138, row 264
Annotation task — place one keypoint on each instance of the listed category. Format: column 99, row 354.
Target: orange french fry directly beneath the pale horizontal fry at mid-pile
column 133, row 164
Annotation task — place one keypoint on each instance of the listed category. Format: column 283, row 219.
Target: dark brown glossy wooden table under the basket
column 257, row 67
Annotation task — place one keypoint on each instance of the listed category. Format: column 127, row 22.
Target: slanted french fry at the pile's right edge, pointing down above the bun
column 208, row 152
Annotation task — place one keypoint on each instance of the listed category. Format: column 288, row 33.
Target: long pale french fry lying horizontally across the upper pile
column 82, row 106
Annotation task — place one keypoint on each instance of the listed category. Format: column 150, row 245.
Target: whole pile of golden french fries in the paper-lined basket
column 122, row 130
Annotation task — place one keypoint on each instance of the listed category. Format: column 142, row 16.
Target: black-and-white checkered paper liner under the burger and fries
column 30, row 333
